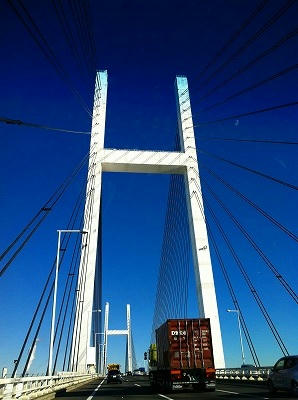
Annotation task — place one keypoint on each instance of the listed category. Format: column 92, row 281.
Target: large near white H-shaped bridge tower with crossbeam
column 138, row 161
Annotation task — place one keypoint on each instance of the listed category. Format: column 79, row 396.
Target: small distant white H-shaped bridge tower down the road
column 107, row 332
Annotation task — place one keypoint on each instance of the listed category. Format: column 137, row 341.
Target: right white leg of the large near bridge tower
column 198, row 231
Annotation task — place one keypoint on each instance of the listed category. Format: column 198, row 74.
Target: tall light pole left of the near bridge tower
column 55, row 294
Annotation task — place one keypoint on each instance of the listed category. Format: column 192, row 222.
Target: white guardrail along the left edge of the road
column 32, row 387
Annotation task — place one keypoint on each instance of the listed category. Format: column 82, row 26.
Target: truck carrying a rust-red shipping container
column 182, row 356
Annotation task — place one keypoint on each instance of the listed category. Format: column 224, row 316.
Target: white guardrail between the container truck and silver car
column 257, row 374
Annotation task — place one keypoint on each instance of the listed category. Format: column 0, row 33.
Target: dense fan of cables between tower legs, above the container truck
column 172, row 287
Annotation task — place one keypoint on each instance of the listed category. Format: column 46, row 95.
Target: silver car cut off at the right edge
column 284, row 375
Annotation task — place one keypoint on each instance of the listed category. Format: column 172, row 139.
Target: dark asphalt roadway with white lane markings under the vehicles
column 138, row 388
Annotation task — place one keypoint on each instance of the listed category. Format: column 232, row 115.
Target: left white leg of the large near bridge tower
column 89, row 261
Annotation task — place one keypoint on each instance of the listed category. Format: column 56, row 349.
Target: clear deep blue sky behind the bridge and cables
column 144, row 46
